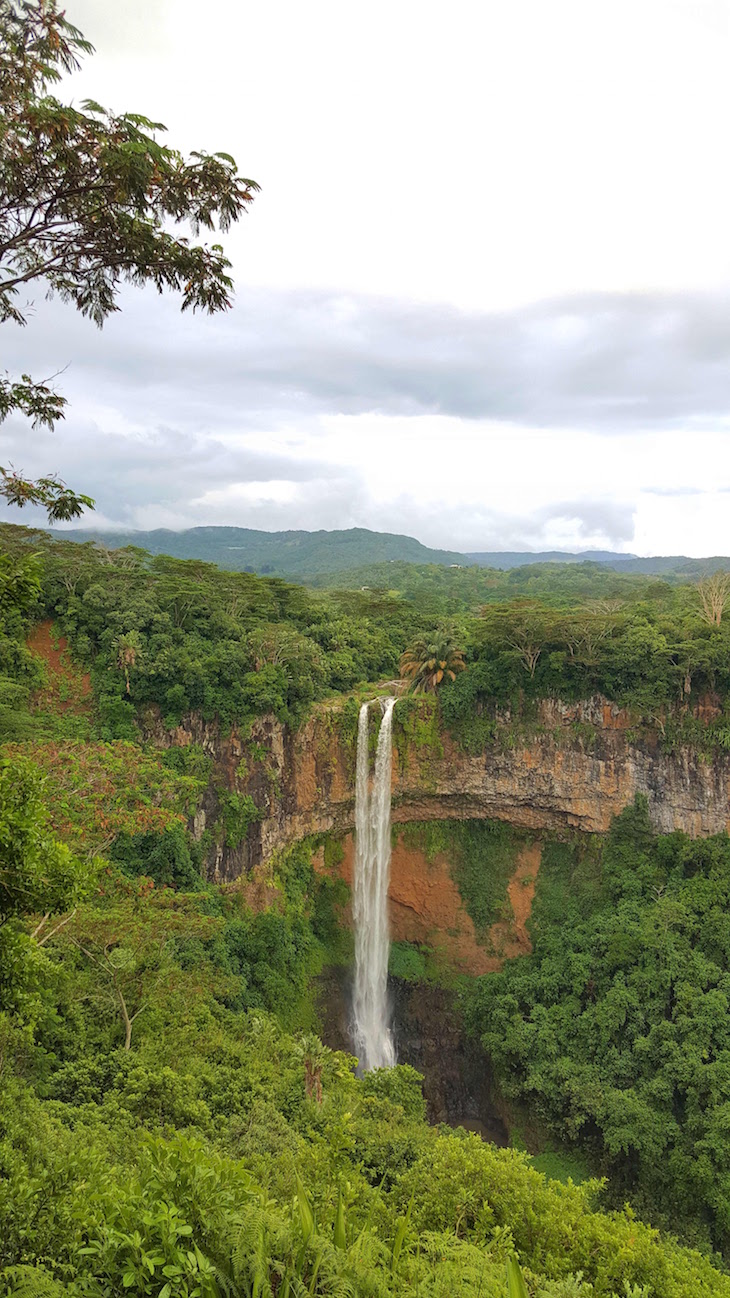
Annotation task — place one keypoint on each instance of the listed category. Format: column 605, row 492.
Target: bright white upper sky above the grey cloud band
column 484, row 155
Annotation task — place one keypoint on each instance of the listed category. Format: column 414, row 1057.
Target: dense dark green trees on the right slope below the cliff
column 615, row 1033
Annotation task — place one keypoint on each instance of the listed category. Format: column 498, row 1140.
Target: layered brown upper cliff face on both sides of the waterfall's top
column 577, row 768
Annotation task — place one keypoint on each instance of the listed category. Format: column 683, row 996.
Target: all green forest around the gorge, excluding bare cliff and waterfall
column 159, row 1031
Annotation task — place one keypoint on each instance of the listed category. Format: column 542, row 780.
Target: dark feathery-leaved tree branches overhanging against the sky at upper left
column 88, row 199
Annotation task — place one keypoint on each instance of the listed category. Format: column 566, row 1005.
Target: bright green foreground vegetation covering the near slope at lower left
column 163, row 1134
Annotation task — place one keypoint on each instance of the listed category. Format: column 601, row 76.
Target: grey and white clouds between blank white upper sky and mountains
column 524, row 429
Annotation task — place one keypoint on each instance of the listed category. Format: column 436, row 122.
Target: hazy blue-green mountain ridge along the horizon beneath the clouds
column 303, row 554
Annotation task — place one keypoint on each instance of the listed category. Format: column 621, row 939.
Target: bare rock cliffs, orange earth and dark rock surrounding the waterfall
column 568, row 773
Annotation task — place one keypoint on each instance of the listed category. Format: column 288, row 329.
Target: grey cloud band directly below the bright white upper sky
column 605, row 361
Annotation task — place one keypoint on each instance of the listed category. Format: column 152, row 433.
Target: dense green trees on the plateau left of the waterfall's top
column 185, row 637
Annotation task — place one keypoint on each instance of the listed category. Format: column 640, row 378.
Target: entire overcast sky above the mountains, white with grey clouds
column 484, row 297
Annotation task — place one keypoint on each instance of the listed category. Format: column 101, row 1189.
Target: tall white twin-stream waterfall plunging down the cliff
column 373, row 1038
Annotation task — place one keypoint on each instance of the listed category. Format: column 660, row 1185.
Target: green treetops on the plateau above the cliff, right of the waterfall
column 655, row 656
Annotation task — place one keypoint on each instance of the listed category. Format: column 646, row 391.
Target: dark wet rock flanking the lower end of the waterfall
column 429, row 1038
